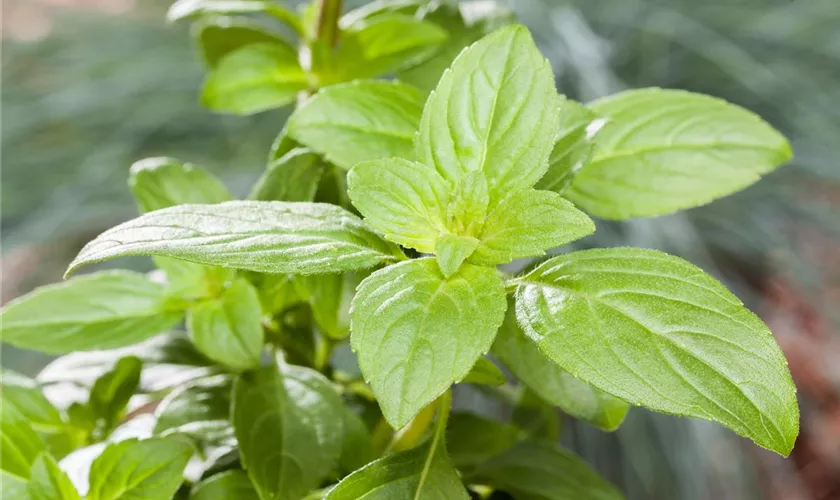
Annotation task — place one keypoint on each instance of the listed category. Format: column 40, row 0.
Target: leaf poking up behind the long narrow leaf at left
column 164, row 182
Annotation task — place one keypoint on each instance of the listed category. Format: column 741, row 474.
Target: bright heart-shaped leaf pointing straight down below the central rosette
column 430, row 334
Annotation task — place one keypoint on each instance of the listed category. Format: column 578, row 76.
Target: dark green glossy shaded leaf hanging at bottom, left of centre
column 289, row 425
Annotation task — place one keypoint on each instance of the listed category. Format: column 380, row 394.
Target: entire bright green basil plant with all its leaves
column 303, row 343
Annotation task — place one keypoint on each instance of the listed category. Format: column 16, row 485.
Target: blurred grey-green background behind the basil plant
column 89, row 86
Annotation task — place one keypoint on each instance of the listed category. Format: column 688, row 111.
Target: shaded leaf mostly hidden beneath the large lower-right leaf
column 580, row 400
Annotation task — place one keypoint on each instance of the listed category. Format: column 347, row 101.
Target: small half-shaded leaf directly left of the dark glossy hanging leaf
column 203, row 400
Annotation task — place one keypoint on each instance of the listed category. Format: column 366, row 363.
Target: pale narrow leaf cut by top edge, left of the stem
column 183, row 9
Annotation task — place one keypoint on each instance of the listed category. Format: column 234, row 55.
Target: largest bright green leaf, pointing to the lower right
column 658, row 332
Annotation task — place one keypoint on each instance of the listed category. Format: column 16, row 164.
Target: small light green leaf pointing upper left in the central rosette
column 404, row 200
